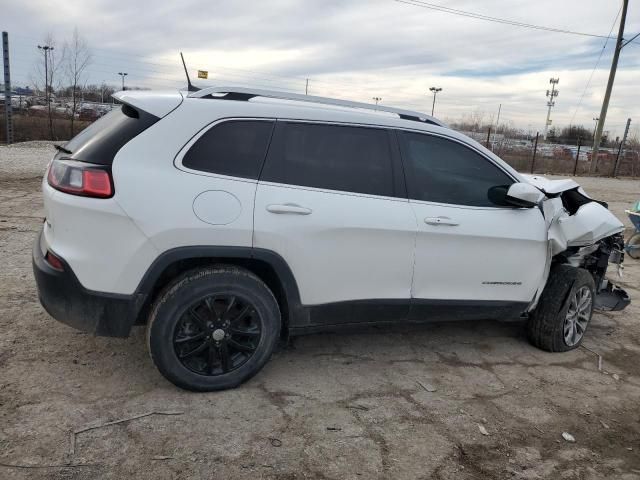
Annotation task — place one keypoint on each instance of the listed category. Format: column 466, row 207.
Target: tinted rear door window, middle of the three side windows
column 335, row 157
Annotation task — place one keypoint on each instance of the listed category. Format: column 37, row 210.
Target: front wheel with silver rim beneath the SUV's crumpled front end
column 564, row 310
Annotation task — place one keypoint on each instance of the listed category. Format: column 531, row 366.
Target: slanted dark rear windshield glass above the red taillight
column 100, row 141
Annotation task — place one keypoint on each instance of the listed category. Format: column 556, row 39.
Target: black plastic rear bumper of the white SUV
column 66, row 300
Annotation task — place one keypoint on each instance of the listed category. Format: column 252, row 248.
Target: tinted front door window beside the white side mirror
column 444, row 171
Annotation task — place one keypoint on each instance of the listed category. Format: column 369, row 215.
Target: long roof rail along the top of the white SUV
column 241, row 93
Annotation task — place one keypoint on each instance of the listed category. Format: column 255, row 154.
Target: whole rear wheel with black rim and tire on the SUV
column 213, row 328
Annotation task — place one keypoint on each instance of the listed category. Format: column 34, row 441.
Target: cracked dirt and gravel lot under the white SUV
column 404, row 402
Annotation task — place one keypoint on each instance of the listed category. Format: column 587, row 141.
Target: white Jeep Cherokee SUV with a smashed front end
column 228, row 218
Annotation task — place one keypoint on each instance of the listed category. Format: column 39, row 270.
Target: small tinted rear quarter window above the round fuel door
column 236, row 148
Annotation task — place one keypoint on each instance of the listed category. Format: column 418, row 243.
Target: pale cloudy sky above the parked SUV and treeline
column 356, row 49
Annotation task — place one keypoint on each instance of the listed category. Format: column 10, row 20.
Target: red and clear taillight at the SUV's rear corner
column 80, row 178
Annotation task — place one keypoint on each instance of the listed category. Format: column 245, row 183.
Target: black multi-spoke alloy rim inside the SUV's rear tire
column 217, row 334
